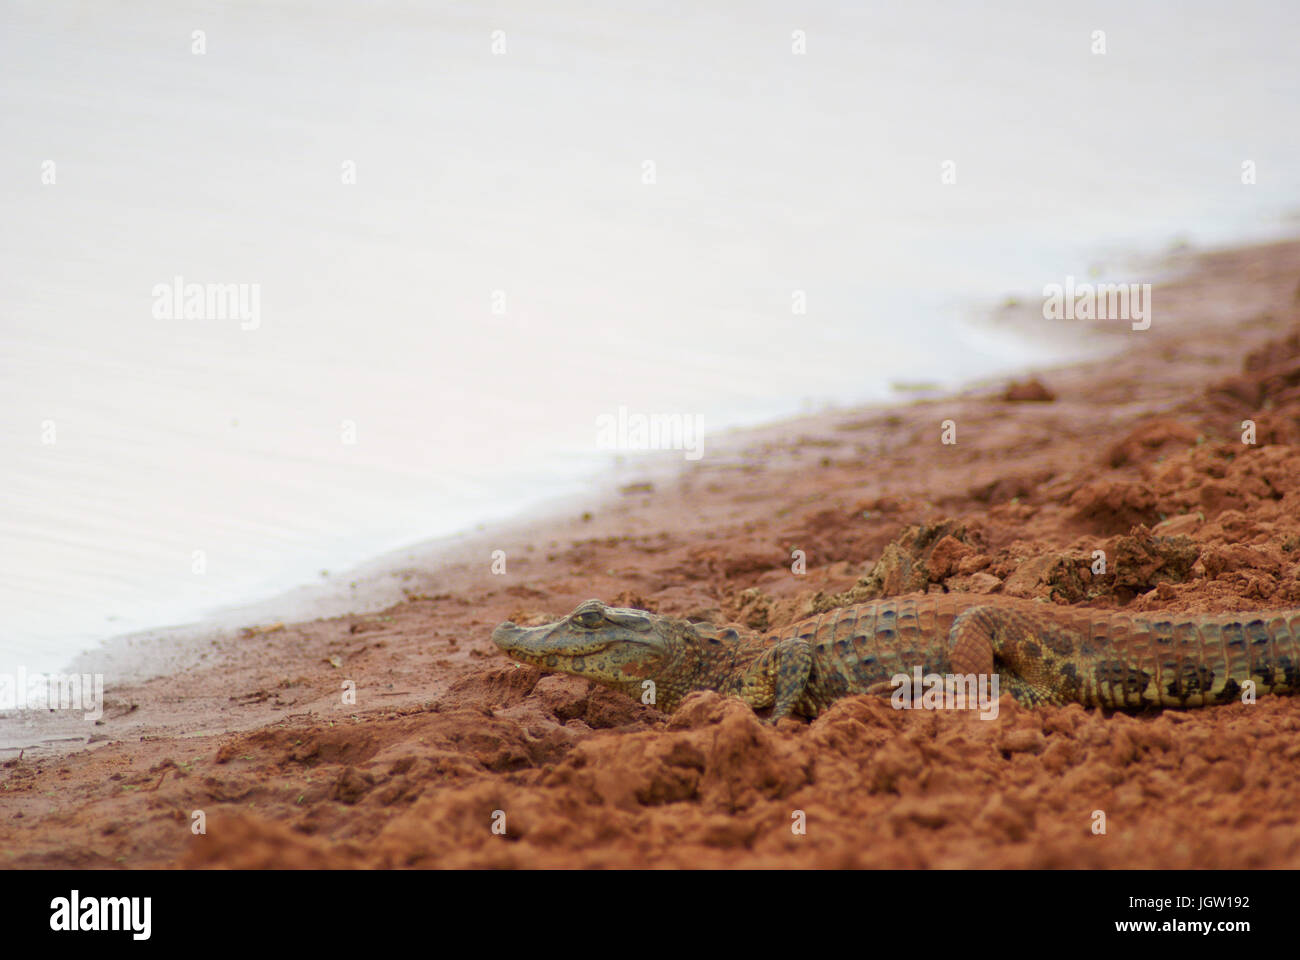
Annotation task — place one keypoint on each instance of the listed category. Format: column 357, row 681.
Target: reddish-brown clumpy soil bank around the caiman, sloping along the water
column 1139, row 456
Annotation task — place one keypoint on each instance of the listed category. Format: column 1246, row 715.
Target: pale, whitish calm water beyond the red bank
column 435, row 343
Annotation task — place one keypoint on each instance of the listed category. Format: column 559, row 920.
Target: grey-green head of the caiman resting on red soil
column 616, row 646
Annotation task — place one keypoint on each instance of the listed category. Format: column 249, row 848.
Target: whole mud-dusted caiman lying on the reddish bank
column 1042, row 654
